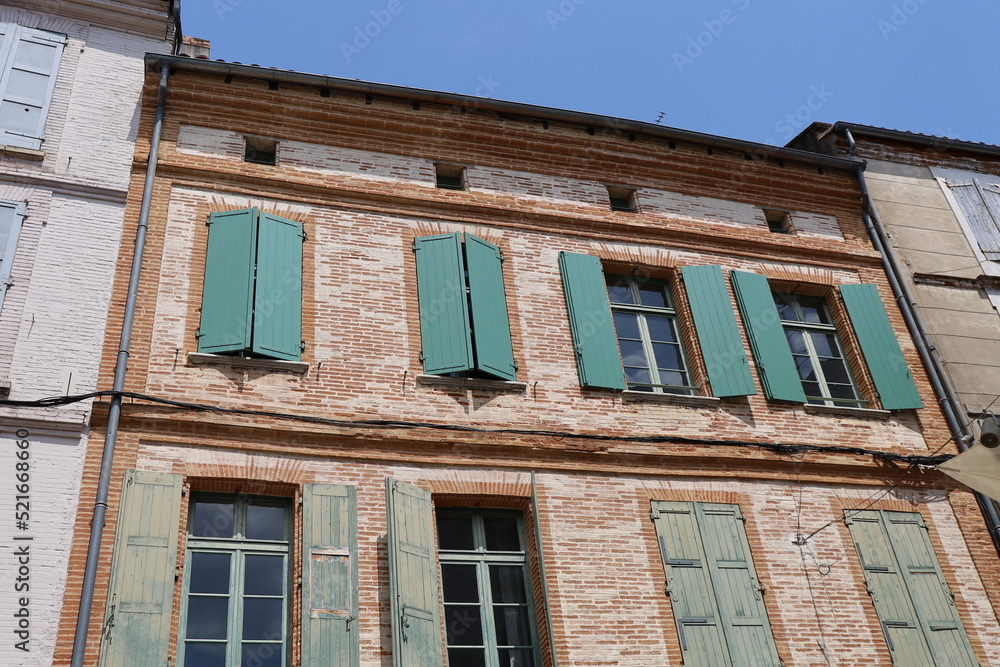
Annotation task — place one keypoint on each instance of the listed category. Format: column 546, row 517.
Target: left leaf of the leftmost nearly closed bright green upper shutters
column 227, row 301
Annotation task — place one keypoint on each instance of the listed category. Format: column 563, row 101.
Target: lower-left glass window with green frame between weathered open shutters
column 236, row 587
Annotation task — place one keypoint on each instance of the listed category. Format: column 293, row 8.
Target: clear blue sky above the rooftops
column 748, row 69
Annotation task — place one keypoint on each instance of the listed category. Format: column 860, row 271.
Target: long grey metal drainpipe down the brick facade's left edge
column 114, row 413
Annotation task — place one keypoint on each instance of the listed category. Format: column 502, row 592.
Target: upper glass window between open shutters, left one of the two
column 648, row 341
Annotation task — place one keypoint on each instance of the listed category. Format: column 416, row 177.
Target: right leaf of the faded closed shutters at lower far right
column 932, row 599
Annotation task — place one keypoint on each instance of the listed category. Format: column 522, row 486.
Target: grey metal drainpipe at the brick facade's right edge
column 947, row 397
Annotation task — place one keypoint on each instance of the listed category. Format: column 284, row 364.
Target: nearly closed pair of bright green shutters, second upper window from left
column 464, row 327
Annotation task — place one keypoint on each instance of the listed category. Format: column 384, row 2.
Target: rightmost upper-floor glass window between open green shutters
column 816, row 349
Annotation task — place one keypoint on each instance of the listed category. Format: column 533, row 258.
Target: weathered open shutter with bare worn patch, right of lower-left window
column 330, row 576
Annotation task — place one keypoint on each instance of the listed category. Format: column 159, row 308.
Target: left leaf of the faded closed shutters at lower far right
column 888, row 590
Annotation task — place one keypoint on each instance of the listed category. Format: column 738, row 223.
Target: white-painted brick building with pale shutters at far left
column 71, row 76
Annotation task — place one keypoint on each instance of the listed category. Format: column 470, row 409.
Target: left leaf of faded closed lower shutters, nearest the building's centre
column 689, row 585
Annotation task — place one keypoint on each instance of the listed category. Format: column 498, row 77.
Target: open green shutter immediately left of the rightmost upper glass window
column 767, row 337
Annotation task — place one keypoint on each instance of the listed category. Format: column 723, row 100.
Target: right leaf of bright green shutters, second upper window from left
column 490, row 323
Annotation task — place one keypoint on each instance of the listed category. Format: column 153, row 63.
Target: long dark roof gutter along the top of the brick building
column 610, row 123
